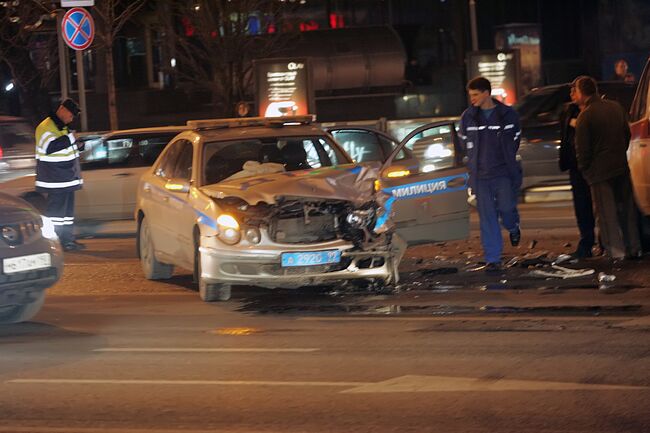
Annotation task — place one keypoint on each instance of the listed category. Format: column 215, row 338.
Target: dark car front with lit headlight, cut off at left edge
column 31, row 257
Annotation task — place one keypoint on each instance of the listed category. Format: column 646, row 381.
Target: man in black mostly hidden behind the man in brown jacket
column 582, row 203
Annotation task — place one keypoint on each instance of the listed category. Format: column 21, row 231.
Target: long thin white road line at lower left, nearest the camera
column 184, row 382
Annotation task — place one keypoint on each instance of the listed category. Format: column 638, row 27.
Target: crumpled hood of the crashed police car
column 353, row 183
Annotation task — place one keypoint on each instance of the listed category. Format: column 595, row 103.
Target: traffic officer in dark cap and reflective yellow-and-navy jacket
column 58, row 173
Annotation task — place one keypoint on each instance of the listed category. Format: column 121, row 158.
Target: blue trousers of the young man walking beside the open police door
column 496, row 200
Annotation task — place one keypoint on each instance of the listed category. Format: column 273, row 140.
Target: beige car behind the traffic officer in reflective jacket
column 111, row 164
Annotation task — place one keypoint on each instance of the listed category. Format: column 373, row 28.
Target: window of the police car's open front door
column 434, row 148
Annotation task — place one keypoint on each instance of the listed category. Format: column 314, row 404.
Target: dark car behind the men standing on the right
column 539, row 113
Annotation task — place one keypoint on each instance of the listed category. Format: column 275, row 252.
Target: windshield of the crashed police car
column 227, row 160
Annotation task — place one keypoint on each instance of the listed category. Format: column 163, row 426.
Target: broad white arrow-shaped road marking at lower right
column 412, row 383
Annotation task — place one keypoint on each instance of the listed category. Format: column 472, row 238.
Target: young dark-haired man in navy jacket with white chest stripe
column 490, row 131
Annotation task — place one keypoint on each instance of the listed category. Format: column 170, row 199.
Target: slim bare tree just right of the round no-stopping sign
column 111, row 15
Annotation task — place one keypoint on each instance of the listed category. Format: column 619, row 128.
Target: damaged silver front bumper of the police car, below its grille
column 264, row 268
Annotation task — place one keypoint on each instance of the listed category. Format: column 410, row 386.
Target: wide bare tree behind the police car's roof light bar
column 214, row 42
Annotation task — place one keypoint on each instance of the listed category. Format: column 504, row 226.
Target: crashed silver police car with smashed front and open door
column 278, row 203
